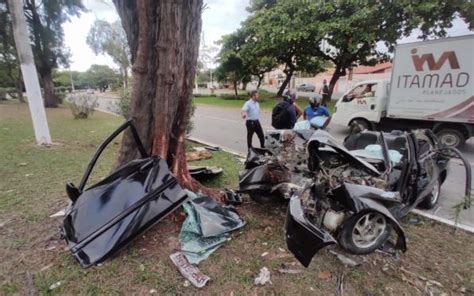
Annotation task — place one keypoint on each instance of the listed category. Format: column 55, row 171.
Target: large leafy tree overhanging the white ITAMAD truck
column 352, row 31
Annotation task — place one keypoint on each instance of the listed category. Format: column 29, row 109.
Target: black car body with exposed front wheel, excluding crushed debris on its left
column 359, row 191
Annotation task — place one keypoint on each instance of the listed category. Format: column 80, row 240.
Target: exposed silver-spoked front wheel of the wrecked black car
column 364, row 233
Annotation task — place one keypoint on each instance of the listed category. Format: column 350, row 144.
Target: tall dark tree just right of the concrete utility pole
column 45, row 19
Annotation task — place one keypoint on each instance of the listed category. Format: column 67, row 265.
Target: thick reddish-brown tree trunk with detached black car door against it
column 164, row 42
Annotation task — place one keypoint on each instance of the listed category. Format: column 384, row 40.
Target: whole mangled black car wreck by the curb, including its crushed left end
column 352, row 194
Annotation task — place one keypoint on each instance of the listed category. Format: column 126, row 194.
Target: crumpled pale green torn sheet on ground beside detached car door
column 206, row 227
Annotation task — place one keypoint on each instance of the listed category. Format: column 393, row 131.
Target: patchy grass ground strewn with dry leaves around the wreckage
column 33, row 258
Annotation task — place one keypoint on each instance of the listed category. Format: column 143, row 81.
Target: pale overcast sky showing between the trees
column 219, row 18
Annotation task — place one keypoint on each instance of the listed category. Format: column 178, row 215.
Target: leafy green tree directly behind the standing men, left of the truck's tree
column 283, row 30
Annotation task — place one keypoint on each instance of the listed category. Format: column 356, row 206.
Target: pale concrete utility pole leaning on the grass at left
column 28, row 71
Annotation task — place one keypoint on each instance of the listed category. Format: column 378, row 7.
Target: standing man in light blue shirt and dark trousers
column 251, row 112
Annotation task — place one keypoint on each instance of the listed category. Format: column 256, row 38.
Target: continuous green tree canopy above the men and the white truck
column 304, row 36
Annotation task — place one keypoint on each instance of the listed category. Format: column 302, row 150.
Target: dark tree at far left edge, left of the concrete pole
column 10, row 74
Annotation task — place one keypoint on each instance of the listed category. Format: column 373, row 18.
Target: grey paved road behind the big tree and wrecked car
column 225, row 128
